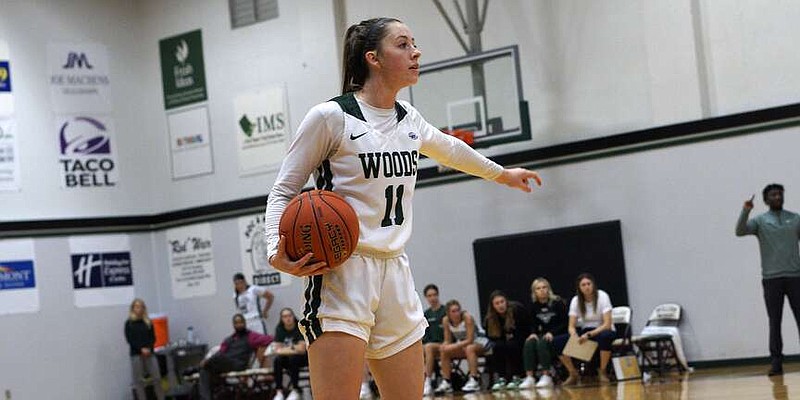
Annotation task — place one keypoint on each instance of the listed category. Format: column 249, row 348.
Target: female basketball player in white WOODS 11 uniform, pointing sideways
column 364, row 145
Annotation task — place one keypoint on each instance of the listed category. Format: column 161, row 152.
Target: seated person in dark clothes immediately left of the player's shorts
column 289, row 349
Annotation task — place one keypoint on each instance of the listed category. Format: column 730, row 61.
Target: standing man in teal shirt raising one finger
column 778, row 232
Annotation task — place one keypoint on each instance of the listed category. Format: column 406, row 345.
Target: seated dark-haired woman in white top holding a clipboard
column 589, row 319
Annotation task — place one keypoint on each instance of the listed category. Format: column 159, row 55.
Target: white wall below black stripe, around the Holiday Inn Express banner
column 65, row 352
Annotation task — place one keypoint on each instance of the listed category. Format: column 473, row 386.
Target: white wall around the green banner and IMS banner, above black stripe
column 298, row 49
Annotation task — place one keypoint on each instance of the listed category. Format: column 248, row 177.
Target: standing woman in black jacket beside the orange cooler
column 140, row 336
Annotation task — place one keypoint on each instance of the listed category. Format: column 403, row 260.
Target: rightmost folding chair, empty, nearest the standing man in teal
column 656, row 352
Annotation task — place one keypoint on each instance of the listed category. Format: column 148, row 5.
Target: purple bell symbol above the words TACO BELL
column 84, row 136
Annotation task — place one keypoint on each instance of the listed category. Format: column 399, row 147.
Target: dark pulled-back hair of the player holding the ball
column 359, row 39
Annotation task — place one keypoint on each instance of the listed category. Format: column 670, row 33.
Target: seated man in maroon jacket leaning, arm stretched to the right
column 235, row 354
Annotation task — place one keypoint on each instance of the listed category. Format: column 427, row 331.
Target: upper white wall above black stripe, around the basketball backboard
column 592, row 69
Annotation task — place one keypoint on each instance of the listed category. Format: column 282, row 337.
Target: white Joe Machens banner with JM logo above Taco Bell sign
column 79, row 79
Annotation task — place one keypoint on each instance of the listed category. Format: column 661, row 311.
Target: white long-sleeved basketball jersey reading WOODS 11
column 370, row 157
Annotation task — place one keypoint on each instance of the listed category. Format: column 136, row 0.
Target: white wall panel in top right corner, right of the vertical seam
column 750, row 45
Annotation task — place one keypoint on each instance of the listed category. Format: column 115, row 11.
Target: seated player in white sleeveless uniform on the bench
column 462, row 339
